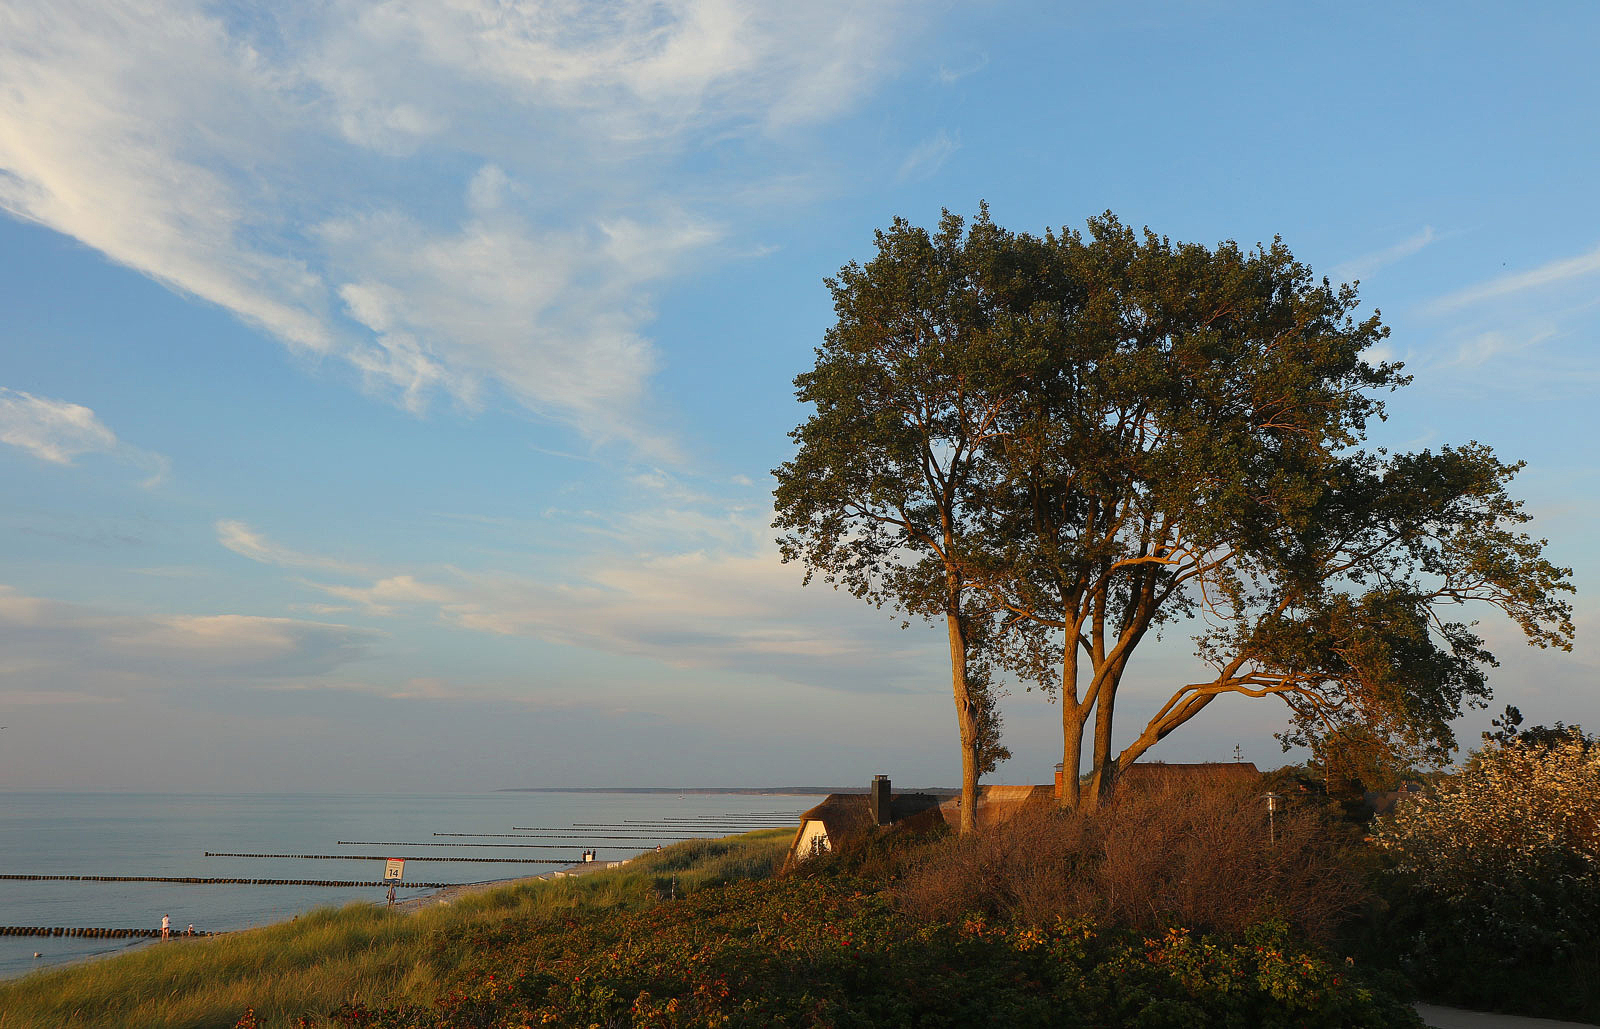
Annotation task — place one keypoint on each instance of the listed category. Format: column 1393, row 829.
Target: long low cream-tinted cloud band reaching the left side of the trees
column 732, row 606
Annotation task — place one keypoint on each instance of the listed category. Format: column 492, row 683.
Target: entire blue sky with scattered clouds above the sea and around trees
column 390, row 391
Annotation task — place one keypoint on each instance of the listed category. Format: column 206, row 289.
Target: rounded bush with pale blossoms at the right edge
column 1495, row 879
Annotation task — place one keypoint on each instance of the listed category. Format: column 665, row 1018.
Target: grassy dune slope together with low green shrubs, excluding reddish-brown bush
column 606, row 950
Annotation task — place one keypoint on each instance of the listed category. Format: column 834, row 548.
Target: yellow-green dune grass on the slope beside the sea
column 361, row 953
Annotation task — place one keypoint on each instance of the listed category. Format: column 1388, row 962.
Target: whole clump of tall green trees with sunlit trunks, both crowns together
column 1066, row 444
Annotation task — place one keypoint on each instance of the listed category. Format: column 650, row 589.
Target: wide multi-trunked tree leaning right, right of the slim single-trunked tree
column 1193, row 450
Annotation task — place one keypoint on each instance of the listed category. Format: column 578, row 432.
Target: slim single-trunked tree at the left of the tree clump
column 910, row 388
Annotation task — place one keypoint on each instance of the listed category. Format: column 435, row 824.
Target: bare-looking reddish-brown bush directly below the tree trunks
column 1198, row 857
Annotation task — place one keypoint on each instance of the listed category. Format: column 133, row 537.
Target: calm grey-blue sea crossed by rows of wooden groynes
column 167, row 835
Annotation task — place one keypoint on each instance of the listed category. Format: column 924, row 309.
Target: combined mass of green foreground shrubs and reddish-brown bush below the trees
column 951, row 932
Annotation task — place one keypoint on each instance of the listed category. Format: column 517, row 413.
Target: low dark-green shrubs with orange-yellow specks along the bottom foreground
column 834, row 951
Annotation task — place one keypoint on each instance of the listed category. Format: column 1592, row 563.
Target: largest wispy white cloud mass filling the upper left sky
column 265, row 164
